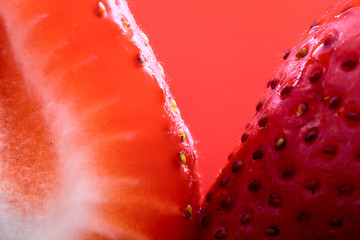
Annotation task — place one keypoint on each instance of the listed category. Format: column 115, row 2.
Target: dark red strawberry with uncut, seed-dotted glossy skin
column 295, row 172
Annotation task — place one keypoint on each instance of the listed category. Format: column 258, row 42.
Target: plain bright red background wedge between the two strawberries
column 218, row 56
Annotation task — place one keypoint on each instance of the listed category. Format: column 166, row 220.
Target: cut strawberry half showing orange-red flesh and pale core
column 92, row 142
